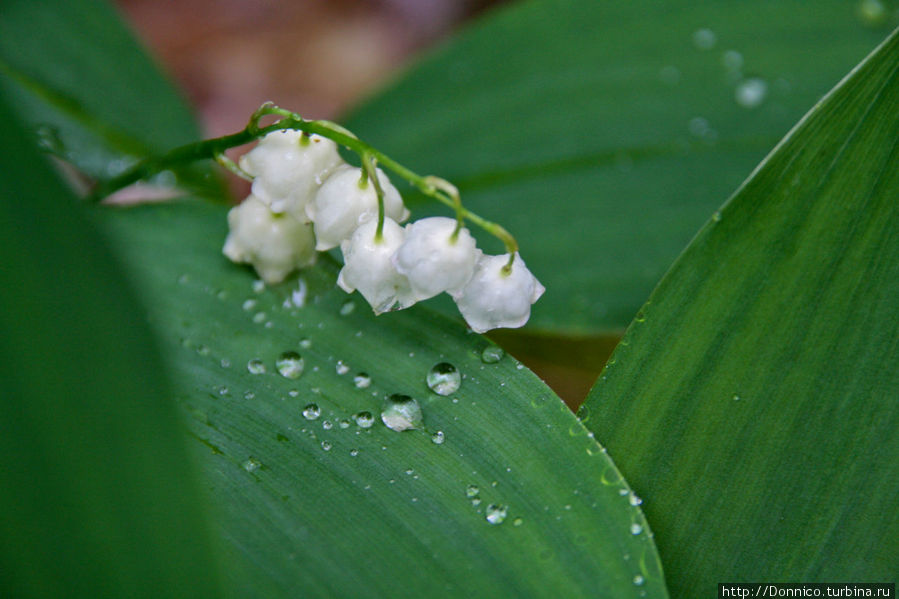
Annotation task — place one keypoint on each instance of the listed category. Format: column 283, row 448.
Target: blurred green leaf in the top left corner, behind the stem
column 74, row 73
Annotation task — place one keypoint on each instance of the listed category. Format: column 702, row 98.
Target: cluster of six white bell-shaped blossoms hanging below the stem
column 306, row 199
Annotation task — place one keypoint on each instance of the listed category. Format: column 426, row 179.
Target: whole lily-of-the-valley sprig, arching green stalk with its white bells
column 306, row 199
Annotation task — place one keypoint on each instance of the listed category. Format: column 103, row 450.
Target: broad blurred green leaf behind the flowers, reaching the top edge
column 603, row 136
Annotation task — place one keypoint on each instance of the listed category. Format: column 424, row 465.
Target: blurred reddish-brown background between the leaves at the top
column 316, row 57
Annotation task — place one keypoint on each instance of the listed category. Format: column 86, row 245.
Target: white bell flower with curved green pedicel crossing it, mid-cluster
column 345, row 201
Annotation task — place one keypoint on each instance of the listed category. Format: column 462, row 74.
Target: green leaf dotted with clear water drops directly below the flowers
column 323, row 507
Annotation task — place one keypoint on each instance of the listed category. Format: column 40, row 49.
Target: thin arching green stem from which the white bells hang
column 430, row 186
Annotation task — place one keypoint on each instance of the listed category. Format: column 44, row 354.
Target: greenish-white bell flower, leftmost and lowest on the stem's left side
column 275, row 244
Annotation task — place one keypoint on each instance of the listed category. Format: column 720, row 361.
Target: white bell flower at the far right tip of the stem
column 496, row 299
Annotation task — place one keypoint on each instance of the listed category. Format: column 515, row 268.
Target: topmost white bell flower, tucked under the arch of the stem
column 288, row 167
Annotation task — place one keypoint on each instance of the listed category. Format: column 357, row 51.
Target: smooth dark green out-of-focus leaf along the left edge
column 97, row 497
